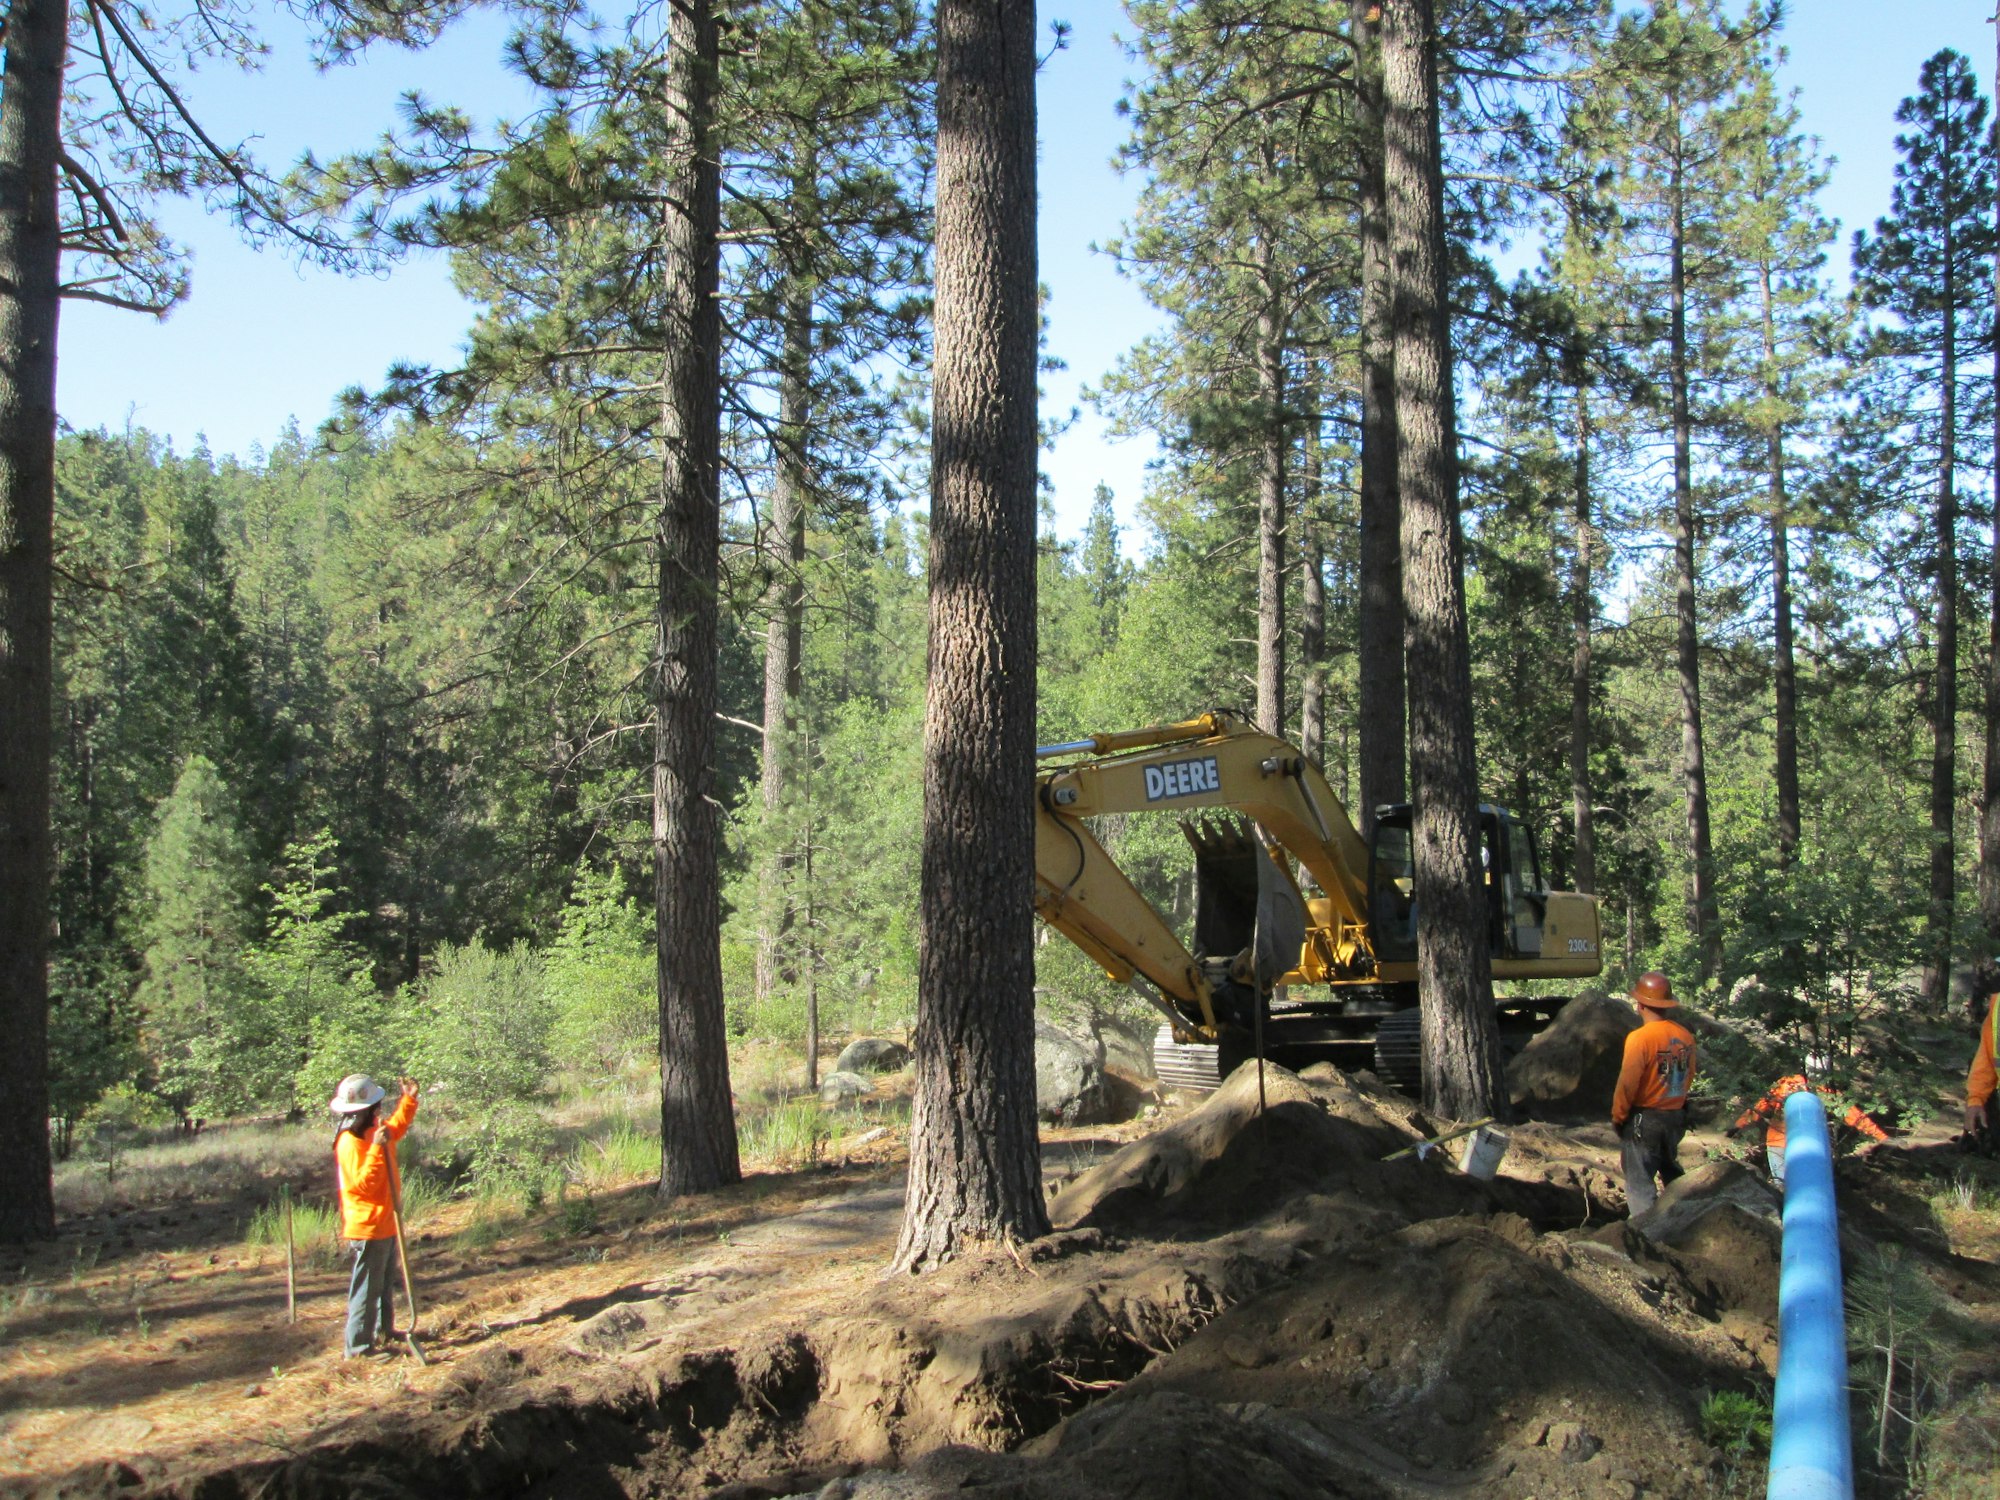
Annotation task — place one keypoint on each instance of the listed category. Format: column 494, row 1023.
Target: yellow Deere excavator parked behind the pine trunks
column 1317, row 971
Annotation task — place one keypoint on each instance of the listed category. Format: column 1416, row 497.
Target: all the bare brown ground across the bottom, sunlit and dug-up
column 1237, row 1303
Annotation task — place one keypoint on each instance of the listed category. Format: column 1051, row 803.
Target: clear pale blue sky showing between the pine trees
column 261, row 341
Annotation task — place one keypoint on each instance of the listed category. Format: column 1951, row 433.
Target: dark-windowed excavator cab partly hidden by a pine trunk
column 1517, row 897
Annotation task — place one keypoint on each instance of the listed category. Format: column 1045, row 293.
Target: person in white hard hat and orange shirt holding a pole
column 371, row 1193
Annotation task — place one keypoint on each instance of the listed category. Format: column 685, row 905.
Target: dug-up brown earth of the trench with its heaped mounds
column 1241, row 1297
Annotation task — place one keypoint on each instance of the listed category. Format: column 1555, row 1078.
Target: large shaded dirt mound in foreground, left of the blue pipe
column 1463, row 1339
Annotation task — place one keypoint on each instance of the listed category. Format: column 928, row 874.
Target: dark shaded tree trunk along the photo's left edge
column 31, row 273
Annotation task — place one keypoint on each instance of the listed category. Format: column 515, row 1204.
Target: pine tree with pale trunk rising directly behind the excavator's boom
column 1241, row 259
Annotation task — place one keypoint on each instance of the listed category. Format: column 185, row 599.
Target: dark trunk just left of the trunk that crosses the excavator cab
column 1379, row 665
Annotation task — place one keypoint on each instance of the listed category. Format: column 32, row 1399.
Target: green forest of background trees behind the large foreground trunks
column 351, row 735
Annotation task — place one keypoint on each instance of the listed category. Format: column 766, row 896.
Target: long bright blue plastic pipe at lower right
column 1811, row 1455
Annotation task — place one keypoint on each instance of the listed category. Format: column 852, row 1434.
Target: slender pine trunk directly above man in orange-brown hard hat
column 1705, row 923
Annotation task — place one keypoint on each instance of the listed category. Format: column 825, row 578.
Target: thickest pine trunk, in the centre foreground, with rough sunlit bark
column 975, row 1159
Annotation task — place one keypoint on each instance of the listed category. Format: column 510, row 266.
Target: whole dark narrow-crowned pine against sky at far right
column 1927, row 265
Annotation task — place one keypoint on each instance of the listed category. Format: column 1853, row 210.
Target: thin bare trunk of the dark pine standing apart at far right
column 1945, row 695
